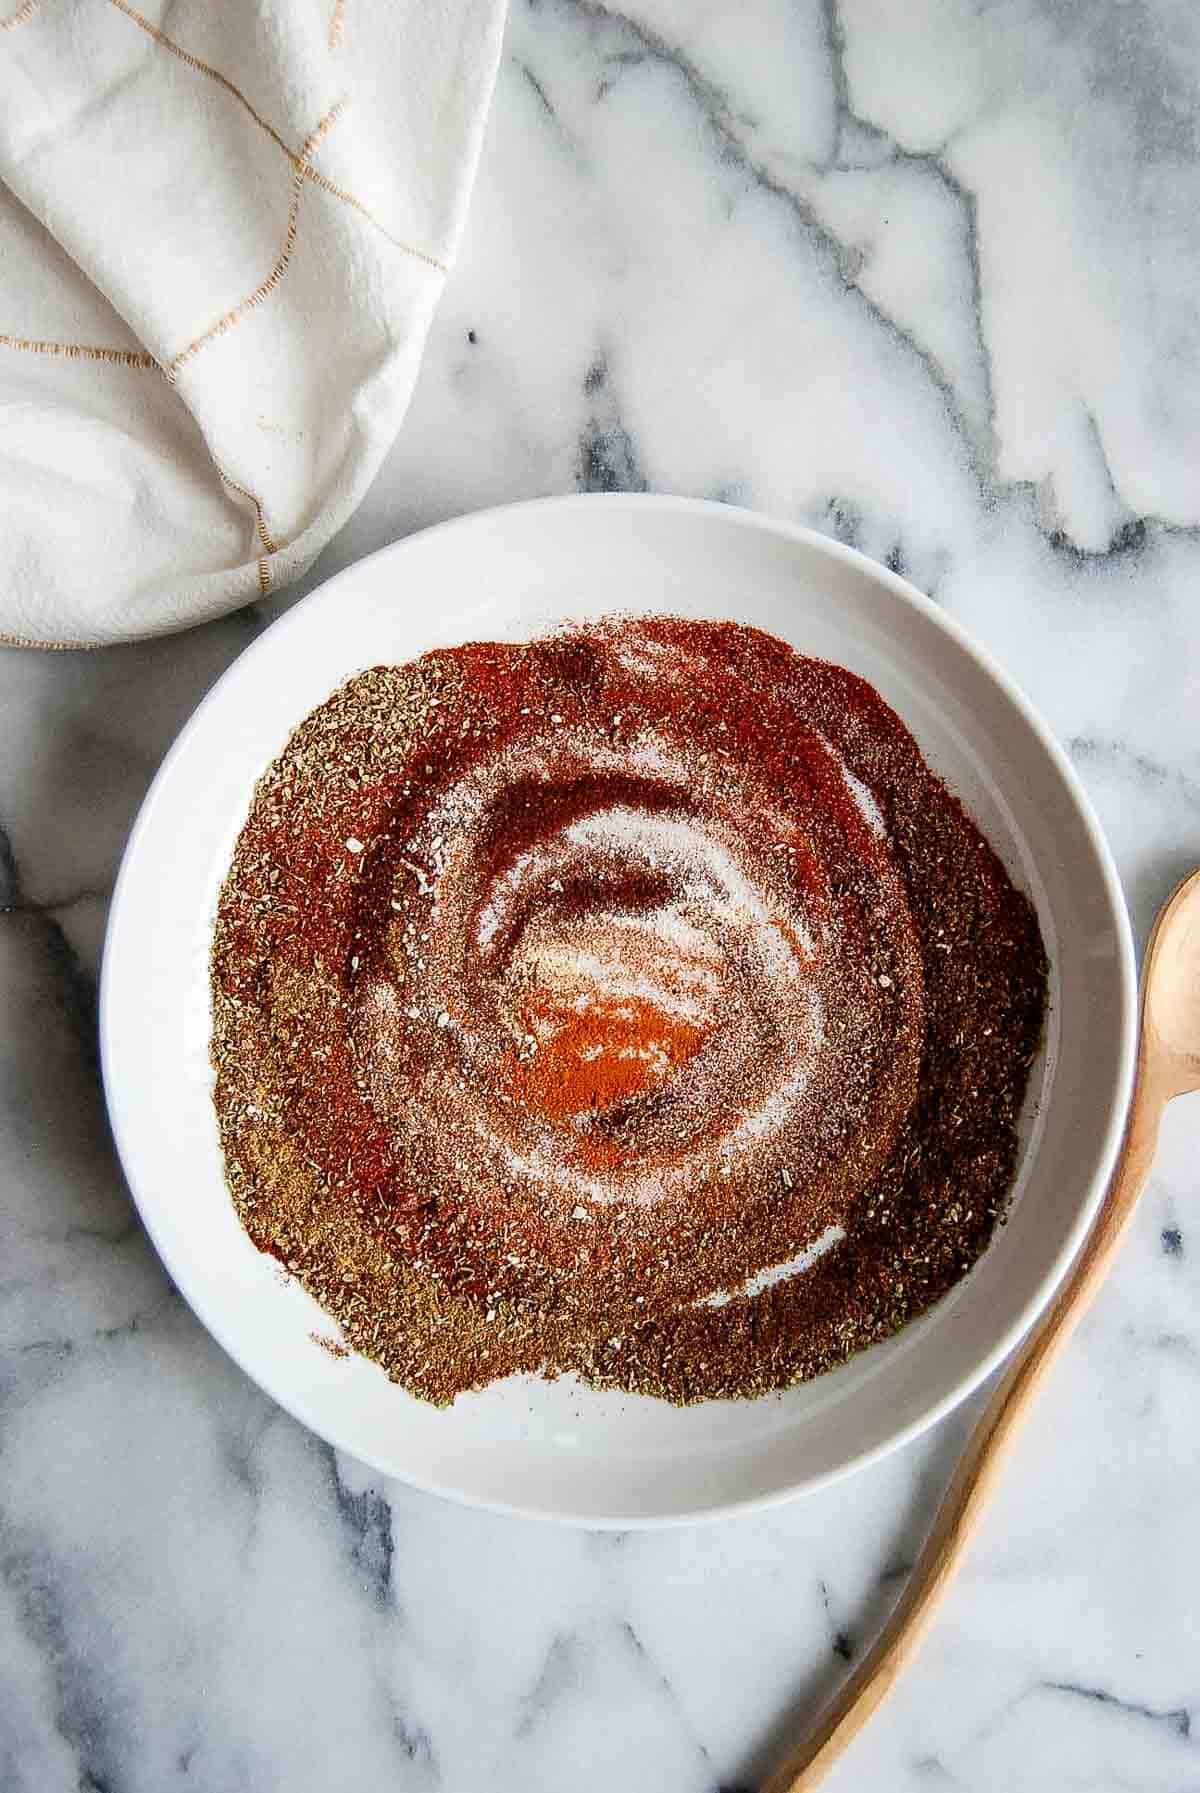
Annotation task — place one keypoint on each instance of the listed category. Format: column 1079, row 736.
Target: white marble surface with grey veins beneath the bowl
column 926, row 277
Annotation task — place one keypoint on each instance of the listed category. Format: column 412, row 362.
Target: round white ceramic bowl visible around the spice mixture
column 561, row 1450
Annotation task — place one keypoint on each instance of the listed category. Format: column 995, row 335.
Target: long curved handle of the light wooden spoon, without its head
column 980, row 1462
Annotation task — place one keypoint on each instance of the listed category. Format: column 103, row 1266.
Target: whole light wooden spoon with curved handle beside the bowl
column 1169, row 1064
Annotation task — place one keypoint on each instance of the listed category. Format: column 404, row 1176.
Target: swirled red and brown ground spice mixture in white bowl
column 634, row 1003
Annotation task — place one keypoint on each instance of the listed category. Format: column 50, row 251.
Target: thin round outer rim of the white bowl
column 1117, row 1098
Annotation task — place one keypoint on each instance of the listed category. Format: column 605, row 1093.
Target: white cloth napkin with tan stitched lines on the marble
column 223, row 234
